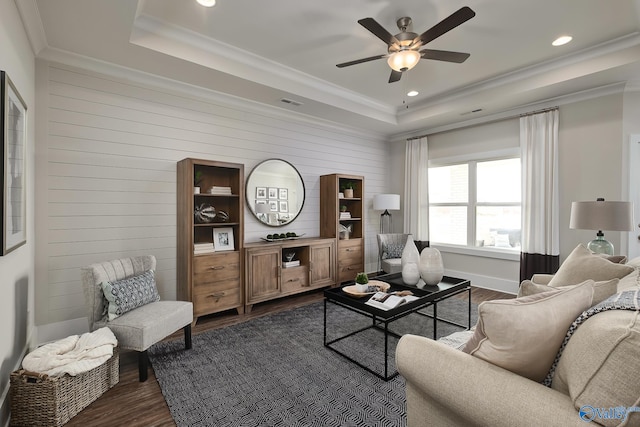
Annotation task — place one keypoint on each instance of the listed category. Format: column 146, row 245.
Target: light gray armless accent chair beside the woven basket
column 141, row 327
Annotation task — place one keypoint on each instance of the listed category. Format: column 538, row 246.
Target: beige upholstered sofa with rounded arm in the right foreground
column 598, row 370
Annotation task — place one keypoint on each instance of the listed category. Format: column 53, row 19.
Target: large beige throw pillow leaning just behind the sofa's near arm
column 523, row 335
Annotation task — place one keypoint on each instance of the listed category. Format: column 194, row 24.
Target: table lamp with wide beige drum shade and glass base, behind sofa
column 601, row 215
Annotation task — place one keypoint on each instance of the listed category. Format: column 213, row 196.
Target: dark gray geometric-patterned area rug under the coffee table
column 275, row 371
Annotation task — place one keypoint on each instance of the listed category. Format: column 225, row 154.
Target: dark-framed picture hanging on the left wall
column 14, row 163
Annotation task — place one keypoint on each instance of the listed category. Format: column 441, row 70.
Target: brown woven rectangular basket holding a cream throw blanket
column 41, row 400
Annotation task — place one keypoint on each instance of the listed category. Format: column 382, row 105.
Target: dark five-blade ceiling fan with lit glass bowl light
column 404, row 48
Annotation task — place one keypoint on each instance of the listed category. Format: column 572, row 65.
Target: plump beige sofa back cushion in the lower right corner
column 599, row 364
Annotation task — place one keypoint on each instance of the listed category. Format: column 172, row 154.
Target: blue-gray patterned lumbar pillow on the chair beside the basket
column 133, row 292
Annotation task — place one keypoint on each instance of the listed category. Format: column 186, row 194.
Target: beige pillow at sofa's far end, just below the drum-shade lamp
column 583, row 265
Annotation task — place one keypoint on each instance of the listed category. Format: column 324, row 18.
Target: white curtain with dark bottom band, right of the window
column 540, row 227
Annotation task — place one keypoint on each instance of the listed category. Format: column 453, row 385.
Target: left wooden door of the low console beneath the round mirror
column 263, row 274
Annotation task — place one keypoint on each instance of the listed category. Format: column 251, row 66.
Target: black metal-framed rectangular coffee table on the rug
column 429, row 296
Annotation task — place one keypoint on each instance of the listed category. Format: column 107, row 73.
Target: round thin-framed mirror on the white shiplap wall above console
column 275, row 192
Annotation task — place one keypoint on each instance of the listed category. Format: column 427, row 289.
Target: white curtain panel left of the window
column 416, row 189
